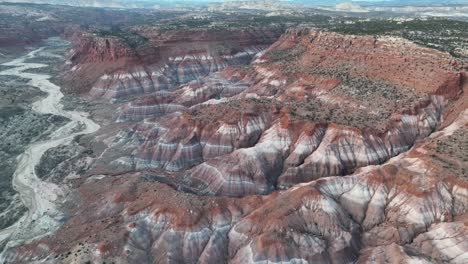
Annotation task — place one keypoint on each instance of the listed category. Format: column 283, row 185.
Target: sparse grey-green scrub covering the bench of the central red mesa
column 380, row 99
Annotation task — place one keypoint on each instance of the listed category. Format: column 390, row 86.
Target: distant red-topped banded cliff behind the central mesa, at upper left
column 118, row 67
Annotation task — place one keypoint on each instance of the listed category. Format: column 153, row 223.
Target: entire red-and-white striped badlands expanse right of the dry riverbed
column 319, row 148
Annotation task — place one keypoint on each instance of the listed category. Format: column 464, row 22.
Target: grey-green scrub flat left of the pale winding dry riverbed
column 21, row 126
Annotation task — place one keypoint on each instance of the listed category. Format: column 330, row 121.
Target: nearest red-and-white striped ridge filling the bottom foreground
column 410, row 209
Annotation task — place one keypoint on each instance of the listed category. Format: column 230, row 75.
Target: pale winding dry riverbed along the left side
column 38, row 196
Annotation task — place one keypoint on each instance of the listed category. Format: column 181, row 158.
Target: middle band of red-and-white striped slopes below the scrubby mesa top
column 264, row 141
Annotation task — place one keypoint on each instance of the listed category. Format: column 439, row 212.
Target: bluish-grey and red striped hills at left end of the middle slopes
column 180, row 140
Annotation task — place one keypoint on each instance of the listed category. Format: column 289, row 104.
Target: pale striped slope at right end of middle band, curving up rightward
column 342, row 151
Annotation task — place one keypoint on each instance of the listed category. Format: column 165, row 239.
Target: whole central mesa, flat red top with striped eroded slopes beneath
column 289, row 117
